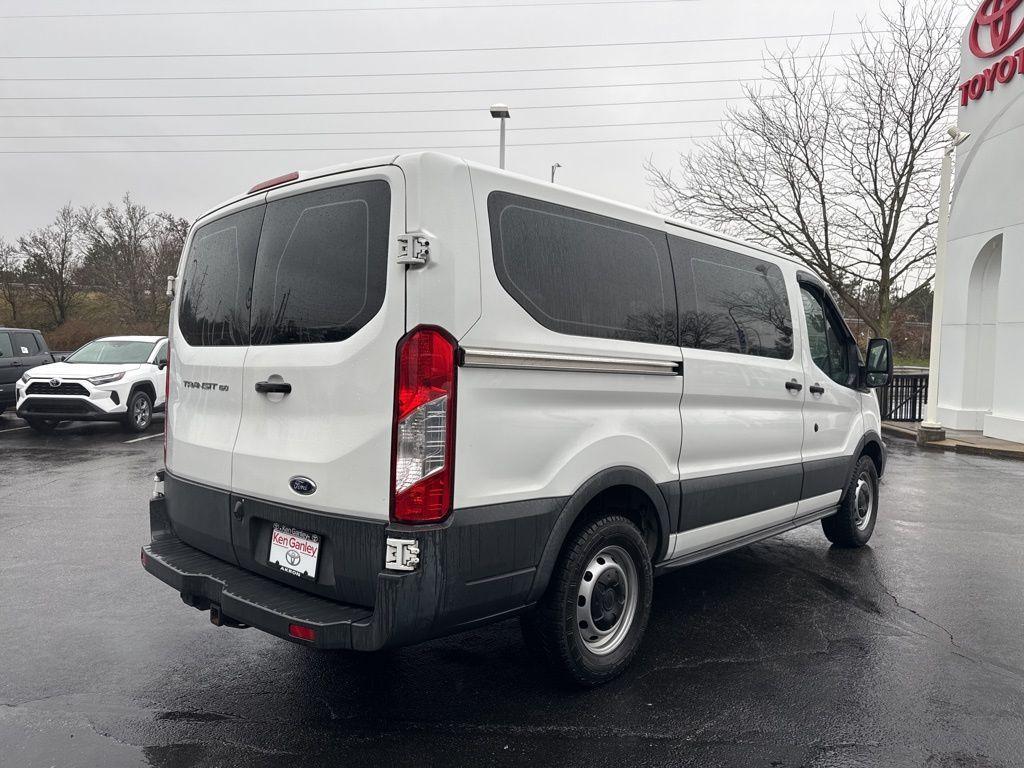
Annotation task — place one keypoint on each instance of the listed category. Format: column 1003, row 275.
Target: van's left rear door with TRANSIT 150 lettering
column 210, row 338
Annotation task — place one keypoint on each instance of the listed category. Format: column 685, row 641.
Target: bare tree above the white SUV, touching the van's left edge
column 130, row 253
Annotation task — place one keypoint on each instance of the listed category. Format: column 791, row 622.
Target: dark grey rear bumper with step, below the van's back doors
column 459, row 583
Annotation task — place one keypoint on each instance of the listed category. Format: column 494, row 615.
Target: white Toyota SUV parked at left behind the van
column 120, row 378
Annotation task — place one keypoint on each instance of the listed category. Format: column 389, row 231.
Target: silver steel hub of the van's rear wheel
column 607, row 601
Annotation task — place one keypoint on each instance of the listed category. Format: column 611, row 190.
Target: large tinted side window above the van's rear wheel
column 580, row 274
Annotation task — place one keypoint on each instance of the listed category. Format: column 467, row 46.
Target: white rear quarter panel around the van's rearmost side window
column 532, row 434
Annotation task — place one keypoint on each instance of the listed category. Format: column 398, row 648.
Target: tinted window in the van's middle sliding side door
column 731, row 303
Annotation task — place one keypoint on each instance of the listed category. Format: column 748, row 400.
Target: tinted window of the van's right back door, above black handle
column 323, row 265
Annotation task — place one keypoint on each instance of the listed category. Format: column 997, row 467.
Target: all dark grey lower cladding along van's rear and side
column 482, row 565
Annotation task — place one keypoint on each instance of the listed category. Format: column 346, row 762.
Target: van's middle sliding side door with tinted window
column 741, row 467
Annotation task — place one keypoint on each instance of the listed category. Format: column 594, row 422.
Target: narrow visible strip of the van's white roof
column 417, row 157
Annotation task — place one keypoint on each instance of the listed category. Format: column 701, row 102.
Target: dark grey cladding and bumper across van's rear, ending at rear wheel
column 478, row 567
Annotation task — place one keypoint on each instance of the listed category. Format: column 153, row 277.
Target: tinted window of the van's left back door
column 215, row 306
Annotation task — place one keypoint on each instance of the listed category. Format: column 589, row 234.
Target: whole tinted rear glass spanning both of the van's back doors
column 306, row 269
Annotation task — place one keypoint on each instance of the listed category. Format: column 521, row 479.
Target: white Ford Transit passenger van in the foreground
column 414, row 396
